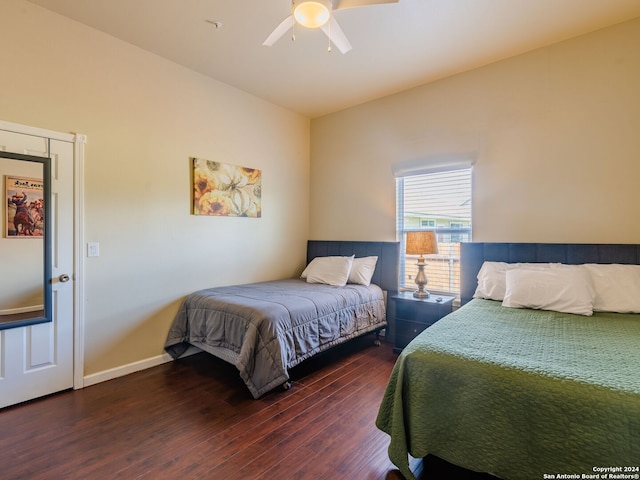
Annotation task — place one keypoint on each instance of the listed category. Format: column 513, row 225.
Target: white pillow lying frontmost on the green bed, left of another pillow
column 565, row 289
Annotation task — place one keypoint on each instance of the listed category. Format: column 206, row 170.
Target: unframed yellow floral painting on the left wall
column 226, row 190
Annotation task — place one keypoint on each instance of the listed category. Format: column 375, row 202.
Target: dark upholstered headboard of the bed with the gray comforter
column 387, row 268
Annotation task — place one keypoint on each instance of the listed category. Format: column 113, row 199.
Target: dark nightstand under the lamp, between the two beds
column 413, row 315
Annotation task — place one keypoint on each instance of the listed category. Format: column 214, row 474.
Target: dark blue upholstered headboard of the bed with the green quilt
column 472, row 255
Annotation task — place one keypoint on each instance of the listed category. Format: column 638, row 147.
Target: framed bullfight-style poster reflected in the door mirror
column 25, row 207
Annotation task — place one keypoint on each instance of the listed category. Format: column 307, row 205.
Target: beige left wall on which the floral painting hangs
column 144, row 117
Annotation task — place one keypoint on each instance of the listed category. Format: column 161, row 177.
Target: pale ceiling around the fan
column 395, row 46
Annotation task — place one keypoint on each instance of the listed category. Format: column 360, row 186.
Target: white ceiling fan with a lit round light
column 318, row 14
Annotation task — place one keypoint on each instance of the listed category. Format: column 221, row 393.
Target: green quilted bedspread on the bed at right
column 519, row 393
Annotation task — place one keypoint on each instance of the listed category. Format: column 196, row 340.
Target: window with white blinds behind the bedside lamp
column 439, row 201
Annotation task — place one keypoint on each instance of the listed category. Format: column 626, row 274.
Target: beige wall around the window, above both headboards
column 555, row 133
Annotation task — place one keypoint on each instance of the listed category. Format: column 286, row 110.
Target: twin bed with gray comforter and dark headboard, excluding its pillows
column 266, row 328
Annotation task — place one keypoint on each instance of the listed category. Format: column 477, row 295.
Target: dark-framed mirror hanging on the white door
column 25, row 286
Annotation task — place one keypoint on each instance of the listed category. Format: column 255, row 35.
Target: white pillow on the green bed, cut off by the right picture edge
column 617, row 287
